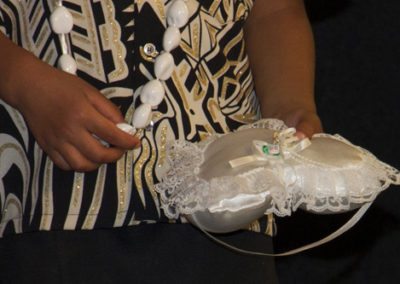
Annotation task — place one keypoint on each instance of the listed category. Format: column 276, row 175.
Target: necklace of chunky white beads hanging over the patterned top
column 153, row 92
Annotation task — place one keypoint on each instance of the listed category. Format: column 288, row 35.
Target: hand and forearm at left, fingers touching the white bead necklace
column 62, row 111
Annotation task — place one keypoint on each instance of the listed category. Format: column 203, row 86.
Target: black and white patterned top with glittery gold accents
column 210, row 91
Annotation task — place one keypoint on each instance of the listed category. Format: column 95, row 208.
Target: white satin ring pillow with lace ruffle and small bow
column 227, row 181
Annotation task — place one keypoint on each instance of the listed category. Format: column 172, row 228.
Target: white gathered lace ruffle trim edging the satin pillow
column 303, row 183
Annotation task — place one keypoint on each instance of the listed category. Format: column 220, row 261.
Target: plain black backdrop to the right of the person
column 357, row 93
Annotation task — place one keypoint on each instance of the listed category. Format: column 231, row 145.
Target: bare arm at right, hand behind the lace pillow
column 280, row 45
